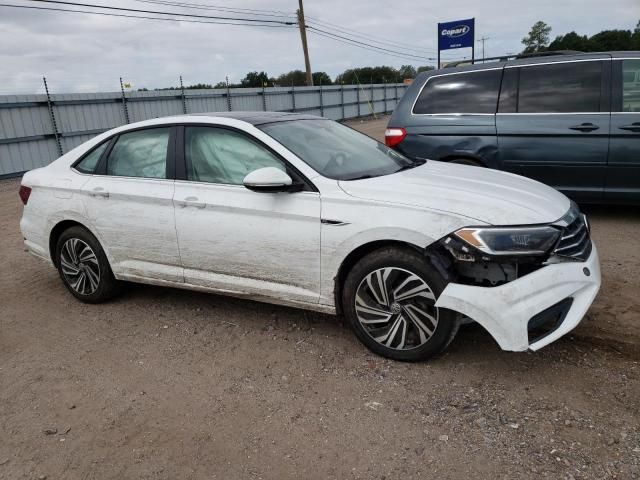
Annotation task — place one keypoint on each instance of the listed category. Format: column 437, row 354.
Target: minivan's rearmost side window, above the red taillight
column 473, row 92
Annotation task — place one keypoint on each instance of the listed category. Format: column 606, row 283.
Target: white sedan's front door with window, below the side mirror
column 237, row 240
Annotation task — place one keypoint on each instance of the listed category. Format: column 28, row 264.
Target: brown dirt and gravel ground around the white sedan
column 169, row 384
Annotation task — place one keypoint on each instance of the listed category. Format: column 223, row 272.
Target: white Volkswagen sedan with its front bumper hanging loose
column 302, row 211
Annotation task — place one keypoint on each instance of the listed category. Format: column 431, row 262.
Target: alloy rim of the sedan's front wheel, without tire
column 396, row 308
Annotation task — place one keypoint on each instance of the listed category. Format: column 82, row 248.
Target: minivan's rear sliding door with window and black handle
column 553, row 124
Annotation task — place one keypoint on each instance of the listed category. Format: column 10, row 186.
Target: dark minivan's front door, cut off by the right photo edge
column 623, row 172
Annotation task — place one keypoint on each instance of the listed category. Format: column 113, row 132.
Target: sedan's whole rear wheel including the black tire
column 83, row 266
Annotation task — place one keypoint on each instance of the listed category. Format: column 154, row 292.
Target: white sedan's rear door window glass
column 142, row 153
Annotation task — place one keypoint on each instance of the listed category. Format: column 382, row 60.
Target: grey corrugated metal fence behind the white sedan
column 28, row 137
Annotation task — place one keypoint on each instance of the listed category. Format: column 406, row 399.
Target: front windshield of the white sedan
column 336, row 151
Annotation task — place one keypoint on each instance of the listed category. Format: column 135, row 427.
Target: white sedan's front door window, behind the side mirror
column 218, row 155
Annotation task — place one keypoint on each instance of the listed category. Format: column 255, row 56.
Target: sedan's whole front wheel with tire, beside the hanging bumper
column 412, row 287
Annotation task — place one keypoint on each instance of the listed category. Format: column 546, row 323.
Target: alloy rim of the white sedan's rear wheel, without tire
column 79, row 266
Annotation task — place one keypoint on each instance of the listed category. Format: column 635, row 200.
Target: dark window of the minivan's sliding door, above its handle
column 572, row 87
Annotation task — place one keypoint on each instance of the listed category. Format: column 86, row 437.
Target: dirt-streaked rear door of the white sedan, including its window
column 129, row 202
